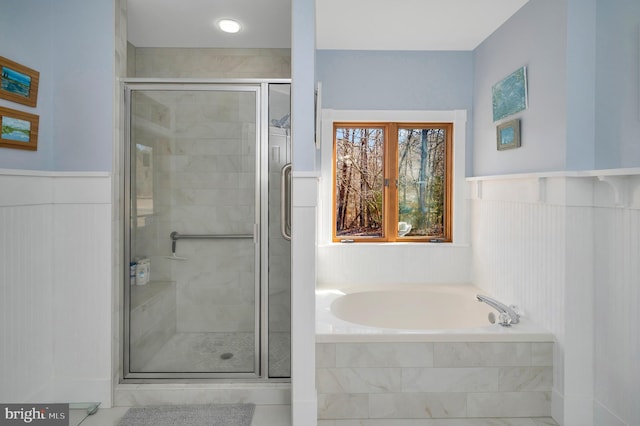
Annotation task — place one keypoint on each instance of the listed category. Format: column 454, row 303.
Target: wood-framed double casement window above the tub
column 392, row 181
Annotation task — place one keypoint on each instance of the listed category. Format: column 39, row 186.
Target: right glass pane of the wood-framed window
column 421, row 182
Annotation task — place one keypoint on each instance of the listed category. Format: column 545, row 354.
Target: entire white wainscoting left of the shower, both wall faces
column 55, row 292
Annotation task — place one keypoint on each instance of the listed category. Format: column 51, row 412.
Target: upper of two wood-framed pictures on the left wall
column 18, row 83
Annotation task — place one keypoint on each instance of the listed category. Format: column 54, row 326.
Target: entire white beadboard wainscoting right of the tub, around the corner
column 565, row 248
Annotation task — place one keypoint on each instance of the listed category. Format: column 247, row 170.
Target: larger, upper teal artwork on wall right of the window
column 510, row 94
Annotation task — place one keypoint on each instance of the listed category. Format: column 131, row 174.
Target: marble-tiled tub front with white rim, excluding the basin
column 366, row 373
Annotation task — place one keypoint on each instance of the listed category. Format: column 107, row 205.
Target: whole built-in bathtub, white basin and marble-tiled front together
column 417, row 352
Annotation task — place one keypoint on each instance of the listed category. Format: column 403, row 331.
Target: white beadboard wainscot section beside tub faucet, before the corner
column 518, row 252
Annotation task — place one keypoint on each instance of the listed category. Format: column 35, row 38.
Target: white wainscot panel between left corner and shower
column 82, row 286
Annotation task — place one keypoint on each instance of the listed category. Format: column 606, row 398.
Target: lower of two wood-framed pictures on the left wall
column 19, row 129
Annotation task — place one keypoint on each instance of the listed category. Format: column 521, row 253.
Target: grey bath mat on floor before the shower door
column 190, row 415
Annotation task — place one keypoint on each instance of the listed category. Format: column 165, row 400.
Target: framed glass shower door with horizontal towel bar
column 194, row 289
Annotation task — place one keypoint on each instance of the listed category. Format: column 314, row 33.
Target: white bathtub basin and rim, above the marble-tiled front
column 415, row 313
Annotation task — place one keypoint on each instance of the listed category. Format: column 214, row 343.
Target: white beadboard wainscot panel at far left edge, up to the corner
column 26, row 287
